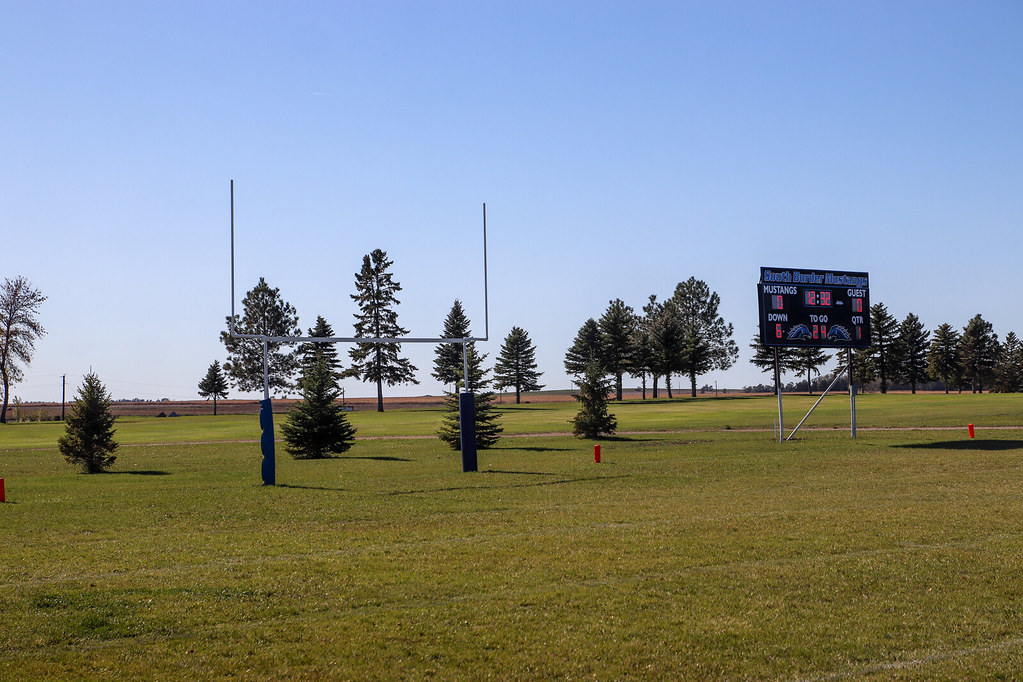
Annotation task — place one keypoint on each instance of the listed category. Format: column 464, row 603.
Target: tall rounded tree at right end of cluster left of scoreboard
column 708, row 343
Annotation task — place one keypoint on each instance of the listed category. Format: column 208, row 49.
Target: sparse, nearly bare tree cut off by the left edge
column 20, row 329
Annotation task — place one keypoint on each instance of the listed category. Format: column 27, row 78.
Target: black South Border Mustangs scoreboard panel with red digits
column 815, row 308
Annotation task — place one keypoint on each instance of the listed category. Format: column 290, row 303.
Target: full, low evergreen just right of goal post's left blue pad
column 318, row 427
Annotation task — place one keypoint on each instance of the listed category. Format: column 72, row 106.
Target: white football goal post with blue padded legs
column 467, row 400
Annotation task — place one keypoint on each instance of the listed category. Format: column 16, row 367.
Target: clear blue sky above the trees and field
column 621, row 148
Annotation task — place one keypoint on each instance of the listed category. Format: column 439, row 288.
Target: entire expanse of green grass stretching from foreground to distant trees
column 697, row 550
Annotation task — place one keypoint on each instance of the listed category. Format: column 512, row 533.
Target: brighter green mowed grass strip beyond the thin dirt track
column 733, row 412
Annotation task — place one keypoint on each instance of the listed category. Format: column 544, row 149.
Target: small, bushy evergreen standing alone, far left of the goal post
column 88, row 438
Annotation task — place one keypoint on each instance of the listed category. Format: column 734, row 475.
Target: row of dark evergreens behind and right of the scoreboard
column 907, row 354
